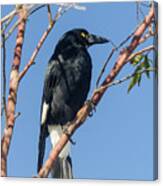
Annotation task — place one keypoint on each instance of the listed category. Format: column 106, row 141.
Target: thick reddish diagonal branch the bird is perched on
column 86, row 109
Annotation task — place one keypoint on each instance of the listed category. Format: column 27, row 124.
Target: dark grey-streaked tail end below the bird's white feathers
column 62, row 168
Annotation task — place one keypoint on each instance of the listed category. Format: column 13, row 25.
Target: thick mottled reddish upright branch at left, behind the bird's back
column 13, row 87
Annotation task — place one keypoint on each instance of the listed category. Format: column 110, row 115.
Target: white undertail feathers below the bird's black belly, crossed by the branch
column 55, row 134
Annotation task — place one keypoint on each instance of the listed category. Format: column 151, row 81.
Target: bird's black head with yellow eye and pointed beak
column 83, row 38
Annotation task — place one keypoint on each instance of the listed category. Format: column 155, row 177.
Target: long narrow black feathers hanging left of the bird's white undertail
column 41, row 147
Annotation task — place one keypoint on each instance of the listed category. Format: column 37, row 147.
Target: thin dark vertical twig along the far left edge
column 4, row 77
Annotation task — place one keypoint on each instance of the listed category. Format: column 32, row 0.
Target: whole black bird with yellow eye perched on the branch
column 66, row 85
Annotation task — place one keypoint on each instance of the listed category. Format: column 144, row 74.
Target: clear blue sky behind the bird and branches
column 117, row 142
